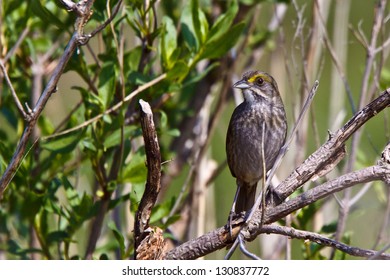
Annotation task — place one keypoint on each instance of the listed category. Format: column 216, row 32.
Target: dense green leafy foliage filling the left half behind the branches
column 65, row 182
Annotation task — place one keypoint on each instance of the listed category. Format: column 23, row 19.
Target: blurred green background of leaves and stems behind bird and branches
column 53, row 202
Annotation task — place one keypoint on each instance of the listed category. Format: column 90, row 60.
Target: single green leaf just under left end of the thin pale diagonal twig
column 63, row 144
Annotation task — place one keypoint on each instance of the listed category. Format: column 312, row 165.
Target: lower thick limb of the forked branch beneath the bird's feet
column 219, row 238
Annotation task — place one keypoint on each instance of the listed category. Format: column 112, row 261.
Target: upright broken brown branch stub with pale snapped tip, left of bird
column 153, row 161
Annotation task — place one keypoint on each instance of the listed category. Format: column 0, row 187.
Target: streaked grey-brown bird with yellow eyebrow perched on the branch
column 260, row 117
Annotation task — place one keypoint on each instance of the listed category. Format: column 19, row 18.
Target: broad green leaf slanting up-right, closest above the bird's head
column 218, row 47
